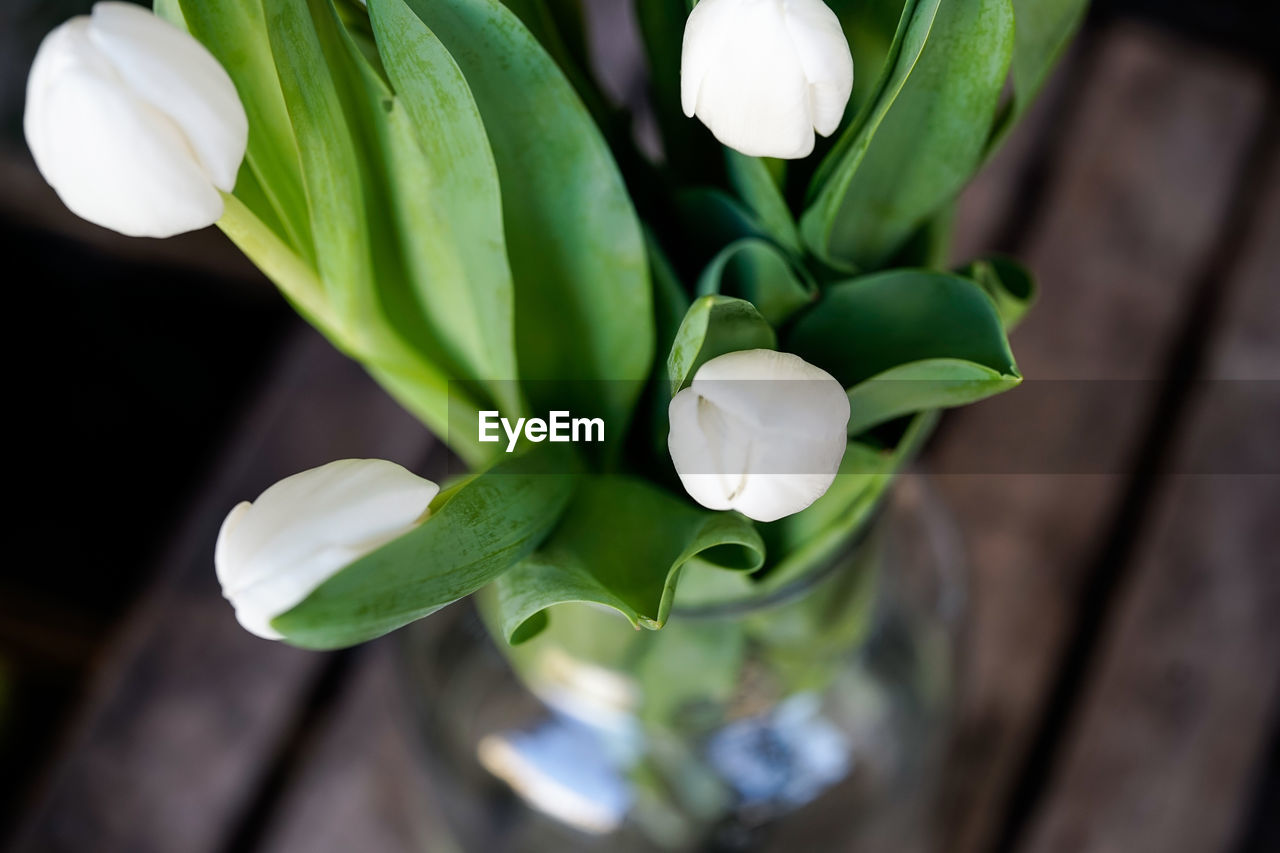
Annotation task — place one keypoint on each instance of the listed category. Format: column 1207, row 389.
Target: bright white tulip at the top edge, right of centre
column 765, row 75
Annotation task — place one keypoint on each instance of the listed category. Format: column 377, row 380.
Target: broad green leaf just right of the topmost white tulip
column 921, row 139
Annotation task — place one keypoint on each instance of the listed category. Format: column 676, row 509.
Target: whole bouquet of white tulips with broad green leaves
column 707, row 358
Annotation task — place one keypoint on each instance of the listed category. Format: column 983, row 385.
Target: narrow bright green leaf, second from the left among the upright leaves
column 330, row 107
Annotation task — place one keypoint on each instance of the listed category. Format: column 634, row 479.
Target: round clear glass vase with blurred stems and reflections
column 813, row 719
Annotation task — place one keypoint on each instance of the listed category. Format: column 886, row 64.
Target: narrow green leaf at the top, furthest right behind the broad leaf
column 1043, row 30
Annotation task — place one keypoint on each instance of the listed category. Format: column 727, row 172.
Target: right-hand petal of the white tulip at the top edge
column 824, row 53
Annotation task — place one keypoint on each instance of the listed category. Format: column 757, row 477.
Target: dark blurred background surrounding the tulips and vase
column 1122, row 668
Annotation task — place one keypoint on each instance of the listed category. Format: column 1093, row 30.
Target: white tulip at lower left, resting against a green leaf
column 272, row 554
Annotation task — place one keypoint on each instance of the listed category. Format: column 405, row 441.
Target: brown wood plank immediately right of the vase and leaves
column 1133, row 209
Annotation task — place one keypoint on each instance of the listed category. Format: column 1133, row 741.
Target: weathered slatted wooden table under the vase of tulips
column 1122, row 676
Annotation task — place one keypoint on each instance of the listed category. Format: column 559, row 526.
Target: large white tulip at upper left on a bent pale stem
column 134, row 124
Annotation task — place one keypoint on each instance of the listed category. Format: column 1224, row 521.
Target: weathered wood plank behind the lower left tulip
column 189, row 709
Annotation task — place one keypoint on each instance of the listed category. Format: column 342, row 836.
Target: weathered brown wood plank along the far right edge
column 1173, row 729
